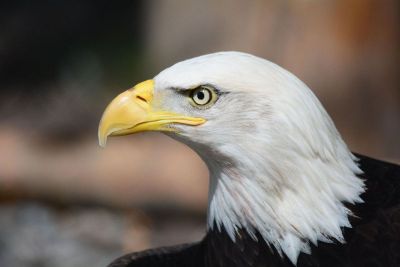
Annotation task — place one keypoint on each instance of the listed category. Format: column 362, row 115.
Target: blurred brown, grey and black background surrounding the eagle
column 66, row 202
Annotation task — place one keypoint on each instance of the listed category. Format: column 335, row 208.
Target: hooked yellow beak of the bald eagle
column 131, row 112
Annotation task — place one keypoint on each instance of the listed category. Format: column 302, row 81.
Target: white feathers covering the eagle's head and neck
column 277, row 163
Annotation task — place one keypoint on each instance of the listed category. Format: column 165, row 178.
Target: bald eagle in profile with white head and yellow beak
column 284, row 188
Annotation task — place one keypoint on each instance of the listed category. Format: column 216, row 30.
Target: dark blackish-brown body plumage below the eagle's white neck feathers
column 373, row 240
